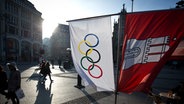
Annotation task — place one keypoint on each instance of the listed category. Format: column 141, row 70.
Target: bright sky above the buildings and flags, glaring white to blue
column 56, row 12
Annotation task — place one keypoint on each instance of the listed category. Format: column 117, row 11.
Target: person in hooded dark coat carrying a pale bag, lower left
column 14, row 82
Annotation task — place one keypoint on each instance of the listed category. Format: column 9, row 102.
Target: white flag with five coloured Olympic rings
column 91, row 47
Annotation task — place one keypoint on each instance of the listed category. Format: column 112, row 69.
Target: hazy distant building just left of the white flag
column 60, row 42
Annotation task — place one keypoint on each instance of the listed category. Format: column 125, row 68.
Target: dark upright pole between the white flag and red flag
column 120, row 39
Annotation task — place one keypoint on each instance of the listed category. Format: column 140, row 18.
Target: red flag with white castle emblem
column 150, row 39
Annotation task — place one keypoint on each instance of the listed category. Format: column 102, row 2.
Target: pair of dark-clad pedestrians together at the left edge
column 9, row 85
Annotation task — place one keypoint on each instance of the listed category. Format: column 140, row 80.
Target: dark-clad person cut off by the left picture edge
column 3, row 81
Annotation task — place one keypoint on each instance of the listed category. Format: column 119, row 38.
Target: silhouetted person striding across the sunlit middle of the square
column 47, row 71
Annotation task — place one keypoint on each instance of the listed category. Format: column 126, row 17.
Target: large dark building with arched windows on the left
column 20, row 31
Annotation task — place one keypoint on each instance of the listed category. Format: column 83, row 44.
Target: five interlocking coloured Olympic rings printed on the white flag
column 87, row 53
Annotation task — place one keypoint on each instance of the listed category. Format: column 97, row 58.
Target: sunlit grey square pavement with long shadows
column 62, row 90
